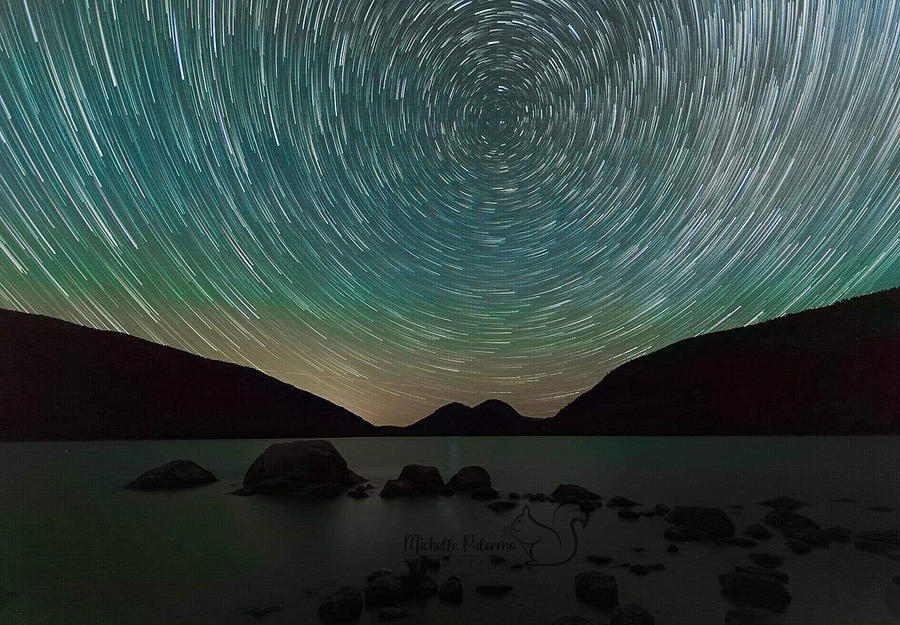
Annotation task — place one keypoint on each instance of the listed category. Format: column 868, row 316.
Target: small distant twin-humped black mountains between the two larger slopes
column 491, row 417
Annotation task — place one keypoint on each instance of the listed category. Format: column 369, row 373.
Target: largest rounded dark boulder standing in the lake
column 309, row 468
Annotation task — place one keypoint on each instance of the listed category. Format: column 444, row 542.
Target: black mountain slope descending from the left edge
column 59, row 380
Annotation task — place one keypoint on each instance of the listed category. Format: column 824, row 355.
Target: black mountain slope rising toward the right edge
column 829, row 370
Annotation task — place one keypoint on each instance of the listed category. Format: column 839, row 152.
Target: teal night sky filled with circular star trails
column 399, row 203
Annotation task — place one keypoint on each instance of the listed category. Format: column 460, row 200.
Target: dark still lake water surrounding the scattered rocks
column 76, row 547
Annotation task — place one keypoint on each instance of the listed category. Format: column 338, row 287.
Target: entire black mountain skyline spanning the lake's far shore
column 832, row 370
